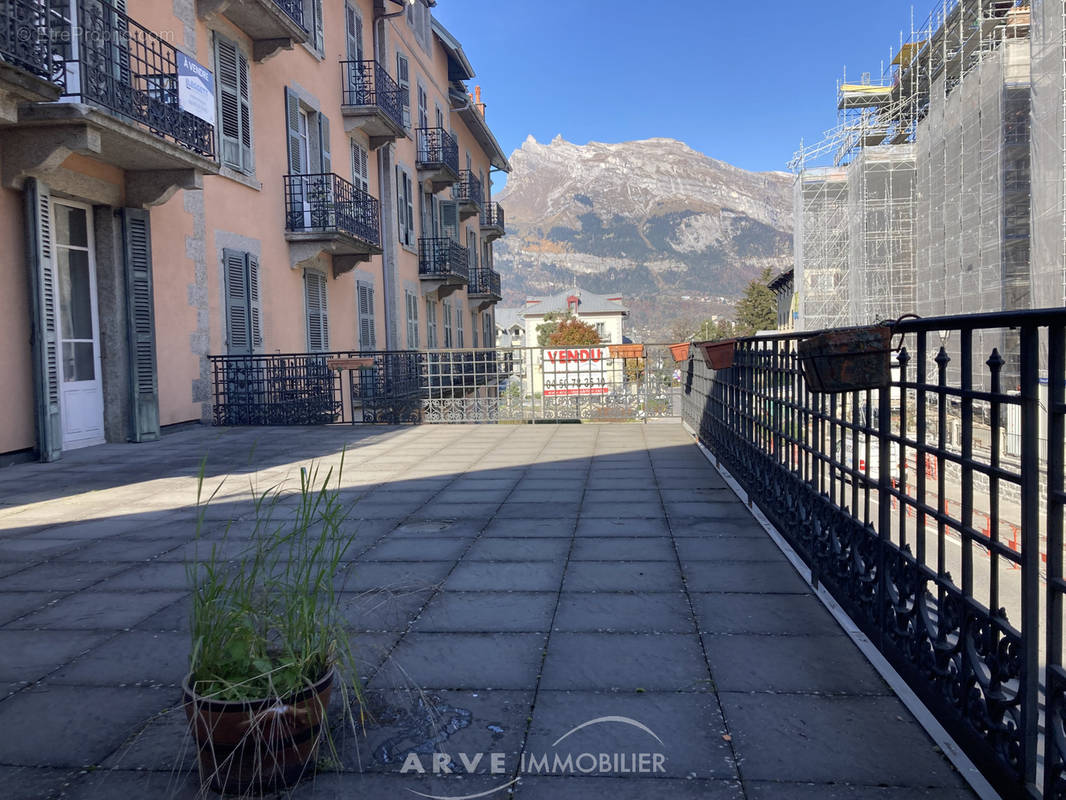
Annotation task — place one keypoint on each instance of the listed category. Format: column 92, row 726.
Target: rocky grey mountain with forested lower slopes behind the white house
column 653, row 220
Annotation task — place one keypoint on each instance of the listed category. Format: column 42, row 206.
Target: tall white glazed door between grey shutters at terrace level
column 82, row 390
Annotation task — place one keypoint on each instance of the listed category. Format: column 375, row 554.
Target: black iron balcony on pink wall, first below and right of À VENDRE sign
column 327, row 210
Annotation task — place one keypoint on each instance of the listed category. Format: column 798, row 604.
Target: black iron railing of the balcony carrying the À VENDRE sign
column 104, row 58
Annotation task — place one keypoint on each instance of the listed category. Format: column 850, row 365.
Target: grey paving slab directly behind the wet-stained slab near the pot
column 476, row 662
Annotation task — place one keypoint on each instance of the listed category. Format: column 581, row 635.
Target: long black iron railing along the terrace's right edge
column 927, row 509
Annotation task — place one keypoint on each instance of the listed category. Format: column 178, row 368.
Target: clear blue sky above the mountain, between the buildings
column 740, row 82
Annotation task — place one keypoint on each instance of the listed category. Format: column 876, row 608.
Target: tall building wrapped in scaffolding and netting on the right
column 931, row 167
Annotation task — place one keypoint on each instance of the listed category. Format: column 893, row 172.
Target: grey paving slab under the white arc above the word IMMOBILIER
column 686, row 730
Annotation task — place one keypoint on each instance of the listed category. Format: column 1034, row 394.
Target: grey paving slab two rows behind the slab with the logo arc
column 664, row 613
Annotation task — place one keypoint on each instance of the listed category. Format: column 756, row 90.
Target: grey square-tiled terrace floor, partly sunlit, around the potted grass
column 526, row 580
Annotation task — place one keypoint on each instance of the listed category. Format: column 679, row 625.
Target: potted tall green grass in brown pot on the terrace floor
column 269, row 647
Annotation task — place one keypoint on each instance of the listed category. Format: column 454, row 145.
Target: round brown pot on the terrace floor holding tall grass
column 260, row 746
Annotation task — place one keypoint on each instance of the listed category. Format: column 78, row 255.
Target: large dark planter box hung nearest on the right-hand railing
column 847, row 361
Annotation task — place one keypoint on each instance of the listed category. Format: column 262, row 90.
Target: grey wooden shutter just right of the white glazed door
column 141, row 327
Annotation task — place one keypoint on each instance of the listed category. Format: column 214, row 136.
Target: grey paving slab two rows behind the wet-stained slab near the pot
column 489, row 612
